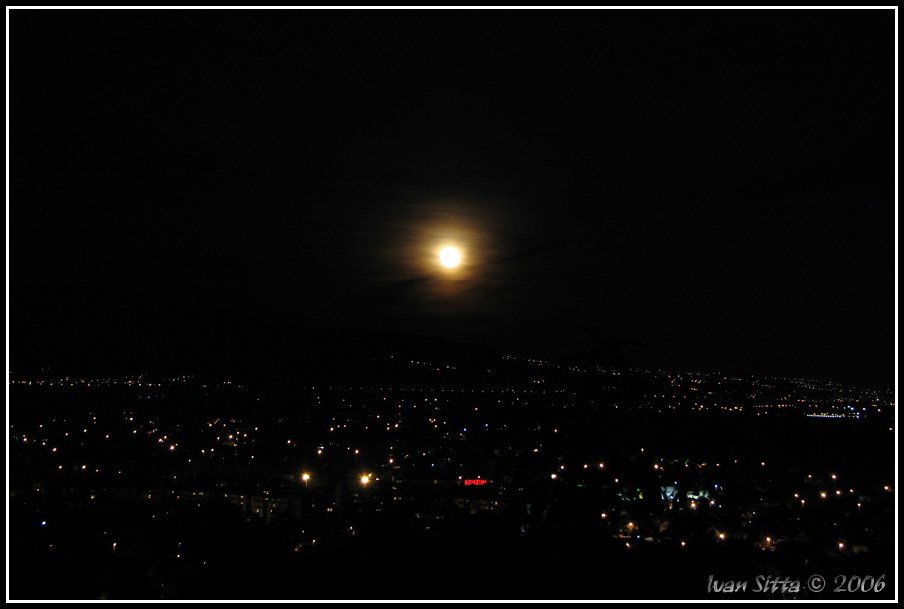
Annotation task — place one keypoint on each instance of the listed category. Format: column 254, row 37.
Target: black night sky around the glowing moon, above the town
column 716, row 187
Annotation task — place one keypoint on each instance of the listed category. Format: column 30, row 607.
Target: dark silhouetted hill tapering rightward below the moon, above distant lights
column 111, row 333
